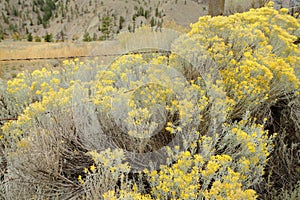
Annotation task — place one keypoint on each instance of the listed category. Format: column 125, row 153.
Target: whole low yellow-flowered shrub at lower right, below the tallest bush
column 223, row 170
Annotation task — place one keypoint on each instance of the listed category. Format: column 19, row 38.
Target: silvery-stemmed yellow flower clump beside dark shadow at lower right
column 250, row 149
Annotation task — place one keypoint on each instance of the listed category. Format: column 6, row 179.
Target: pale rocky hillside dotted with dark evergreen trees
column 60, row 20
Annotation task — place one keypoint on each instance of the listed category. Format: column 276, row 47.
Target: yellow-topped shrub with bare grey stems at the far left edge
column 44, row 133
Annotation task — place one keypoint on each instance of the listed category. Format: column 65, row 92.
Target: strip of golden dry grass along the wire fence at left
column 25, row 50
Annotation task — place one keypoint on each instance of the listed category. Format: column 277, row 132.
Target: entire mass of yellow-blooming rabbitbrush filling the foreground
column 207, row 113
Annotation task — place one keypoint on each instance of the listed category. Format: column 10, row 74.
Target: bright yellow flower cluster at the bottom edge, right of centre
column 194, row 177
